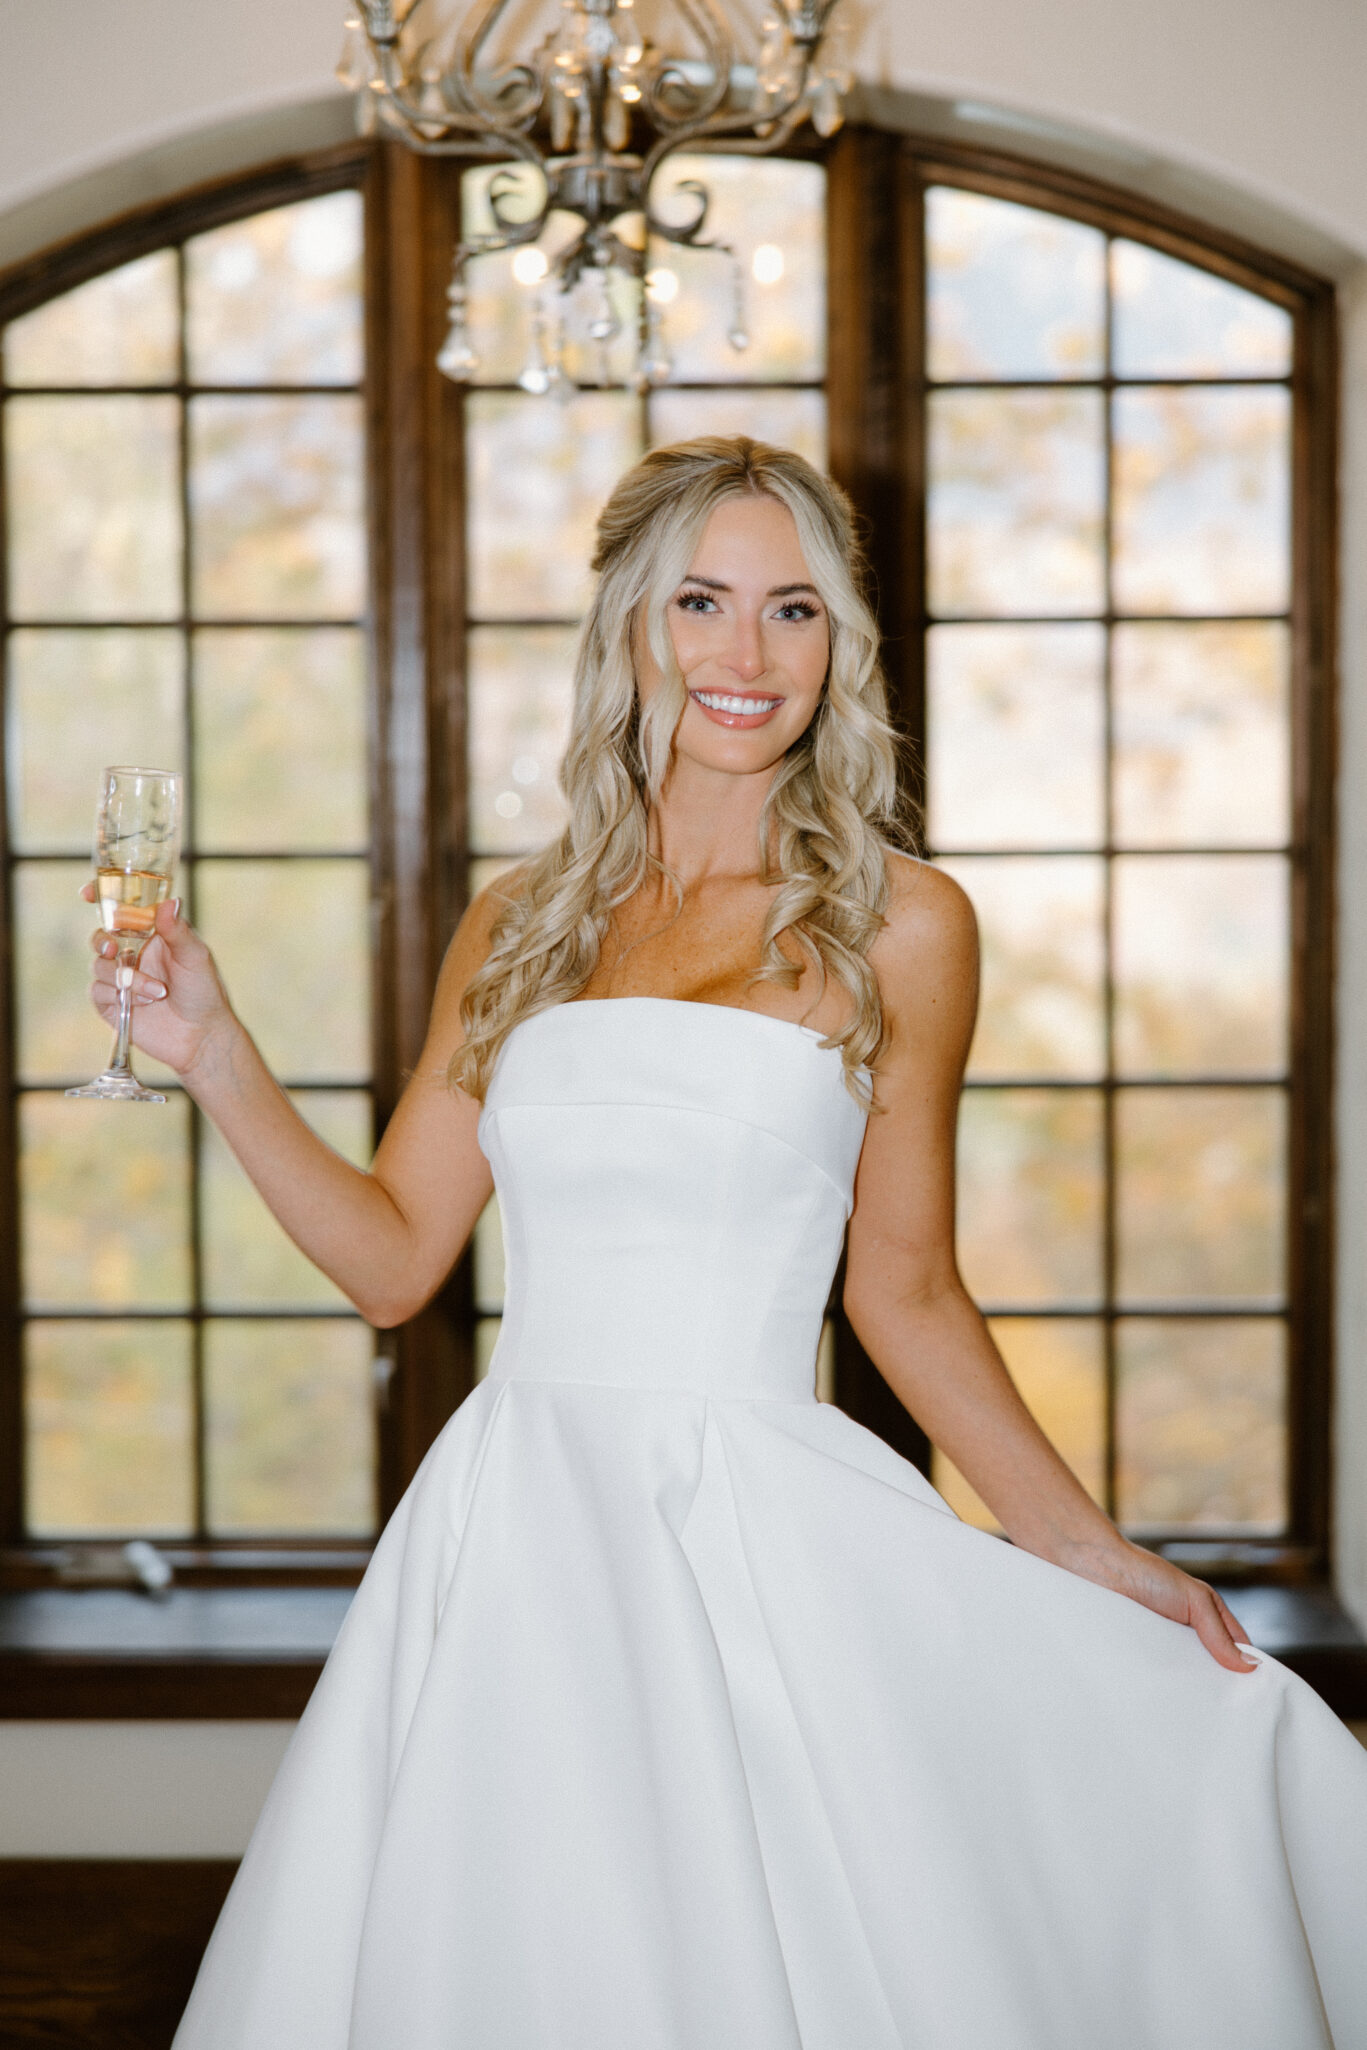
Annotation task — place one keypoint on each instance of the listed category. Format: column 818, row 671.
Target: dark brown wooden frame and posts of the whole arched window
column 419, row 868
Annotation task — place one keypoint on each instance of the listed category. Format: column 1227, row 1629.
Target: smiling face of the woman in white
column 751, row 639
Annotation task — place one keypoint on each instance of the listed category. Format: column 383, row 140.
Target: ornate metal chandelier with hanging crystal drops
column 581, row 126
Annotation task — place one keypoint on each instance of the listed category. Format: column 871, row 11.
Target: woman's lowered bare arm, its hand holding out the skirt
column 903, row 1288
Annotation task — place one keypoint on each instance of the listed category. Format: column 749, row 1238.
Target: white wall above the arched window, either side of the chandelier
column 1259, row 97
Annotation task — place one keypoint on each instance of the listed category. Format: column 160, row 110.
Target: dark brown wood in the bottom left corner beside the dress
column 99, row 1955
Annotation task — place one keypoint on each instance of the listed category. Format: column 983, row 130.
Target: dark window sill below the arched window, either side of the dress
column 255, row 1653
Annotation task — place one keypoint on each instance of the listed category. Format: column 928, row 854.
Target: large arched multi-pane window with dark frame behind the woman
column 1093, row 446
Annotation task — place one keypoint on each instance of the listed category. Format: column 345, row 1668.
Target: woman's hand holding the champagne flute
column 181, row 1008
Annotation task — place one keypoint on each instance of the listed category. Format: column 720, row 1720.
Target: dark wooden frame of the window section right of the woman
column 878, row 407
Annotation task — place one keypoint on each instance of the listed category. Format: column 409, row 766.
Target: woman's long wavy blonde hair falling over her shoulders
column 833, row 811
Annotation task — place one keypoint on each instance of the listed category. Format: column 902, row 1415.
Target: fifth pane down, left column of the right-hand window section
column 1030, row 1196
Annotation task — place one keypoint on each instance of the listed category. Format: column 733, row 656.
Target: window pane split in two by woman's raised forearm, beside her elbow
column 249, row 1264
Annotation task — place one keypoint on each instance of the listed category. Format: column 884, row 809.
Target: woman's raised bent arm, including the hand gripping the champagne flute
column 386, row 1237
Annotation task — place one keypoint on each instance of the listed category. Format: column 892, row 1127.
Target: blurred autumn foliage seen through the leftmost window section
column 185, row 587
